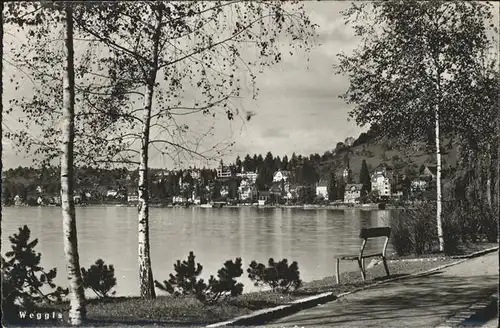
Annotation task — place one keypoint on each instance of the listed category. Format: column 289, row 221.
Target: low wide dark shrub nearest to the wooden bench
column 279, row 276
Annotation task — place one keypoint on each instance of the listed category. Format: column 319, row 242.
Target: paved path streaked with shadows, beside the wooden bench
column 417, row 302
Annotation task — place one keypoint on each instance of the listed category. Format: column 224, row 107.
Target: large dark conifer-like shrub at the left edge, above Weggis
column 24, row 281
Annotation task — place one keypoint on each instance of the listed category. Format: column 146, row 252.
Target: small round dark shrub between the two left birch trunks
column 100, row 278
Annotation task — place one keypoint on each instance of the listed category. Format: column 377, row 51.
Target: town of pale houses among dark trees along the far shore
column 255, row 181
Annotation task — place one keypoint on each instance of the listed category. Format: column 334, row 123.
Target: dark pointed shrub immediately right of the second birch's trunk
column 185, row 281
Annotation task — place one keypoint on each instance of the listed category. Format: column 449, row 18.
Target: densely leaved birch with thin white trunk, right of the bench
column 413, row 59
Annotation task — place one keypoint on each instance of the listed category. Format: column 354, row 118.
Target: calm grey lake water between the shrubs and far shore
column 310, row 237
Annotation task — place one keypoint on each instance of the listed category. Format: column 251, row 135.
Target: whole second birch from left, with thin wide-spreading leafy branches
column 188, row 58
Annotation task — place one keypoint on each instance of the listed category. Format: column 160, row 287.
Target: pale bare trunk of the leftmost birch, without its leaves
column 77, row 298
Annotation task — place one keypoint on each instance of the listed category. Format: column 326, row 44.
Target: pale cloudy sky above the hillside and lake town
column 298, row 108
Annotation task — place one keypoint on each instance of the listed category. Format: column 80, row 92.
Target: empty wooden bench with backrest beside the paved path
column 365, row 234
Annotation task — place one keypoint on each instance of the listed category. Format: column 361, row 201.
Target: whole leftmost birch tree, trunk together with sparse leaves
column 51, row 109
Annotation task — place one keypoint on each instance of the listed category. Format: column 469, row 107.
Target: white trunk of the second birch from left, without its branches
column 146, row 280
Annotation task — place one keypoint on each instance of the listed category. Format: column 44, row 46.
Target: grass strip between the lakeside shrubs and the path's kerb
column 187, row 311
